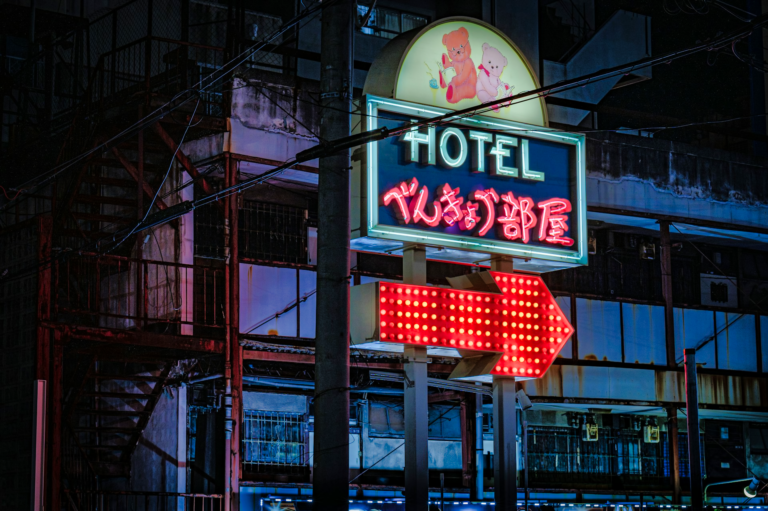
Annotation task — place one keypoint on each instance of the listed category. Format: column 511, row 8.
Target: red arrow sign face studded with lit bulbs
column 523, row 323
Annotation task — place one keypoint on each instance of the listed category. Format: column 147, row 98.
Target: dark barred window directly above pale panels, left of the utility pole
column 273, row 232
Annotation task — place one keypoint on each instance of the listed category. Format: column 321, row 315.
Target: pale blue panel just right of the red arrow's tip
column 599, row 330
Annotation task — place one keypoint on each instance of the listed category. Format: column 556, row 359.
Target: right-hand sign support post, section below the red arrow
column 504, row 443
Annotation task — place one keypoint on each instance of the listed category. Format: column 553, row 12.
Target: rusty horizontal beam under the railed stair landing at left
column 142, row 339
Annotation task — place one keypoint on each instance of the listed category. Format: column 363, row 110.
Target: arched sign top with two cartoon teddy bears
column 456, row 63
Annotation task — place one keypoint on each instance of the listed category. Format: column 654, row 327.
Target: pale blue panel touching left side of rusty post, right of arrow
column 644, row 337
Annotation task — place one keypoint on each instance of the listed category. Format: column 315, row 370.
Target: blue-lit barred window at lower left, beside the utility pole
column 274, row 442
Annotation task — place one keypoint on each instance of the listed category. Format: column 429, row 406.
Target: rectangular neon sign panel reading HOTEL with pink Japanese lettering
column 476, row 184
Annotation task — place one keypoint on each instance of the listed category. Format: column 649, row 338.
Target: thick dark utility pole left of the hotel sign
column 331, row 448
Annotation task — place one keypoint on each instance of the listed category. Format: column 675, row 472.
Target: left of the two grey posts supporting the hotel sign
column 415, row 397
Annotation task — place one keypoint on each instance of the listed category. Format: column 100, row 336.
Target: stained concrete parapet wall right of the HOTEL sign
column 657, row 176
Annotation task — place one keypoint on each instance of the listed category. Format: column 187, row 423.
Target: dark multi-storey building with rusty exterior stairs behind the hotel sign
column 181, row 357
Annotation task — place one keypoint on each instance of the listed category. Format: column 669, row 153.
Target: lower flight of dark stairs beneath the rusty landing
column 109, row 409
